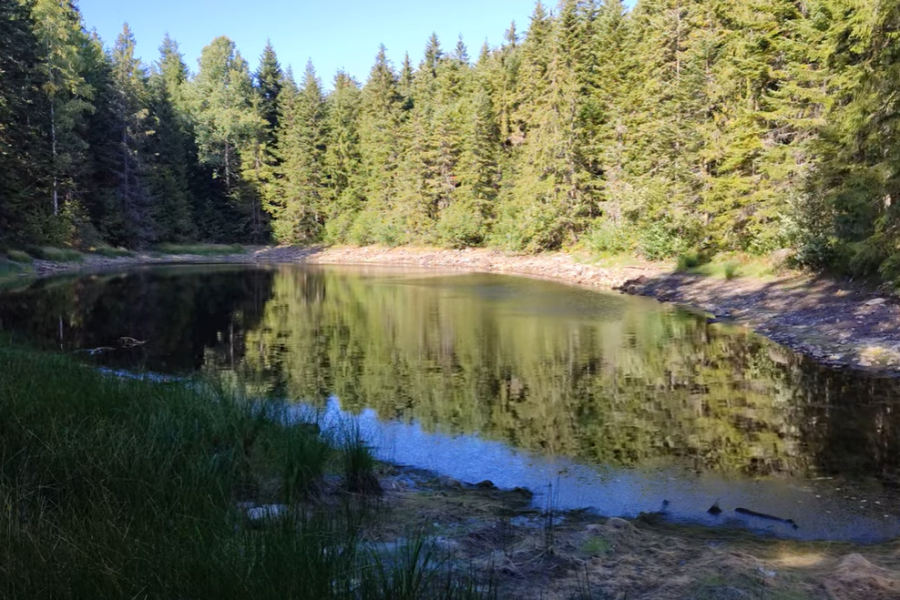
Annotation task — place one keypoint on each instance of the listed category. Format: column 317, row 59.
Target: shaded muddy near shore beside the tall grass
column 579, row 555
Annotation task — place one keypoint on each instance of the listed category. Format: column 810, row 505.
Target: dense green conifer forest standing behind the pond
column 678, row 125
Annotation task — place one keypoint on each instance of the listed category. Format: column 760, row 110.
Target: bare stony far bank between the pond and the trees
column 842, row 324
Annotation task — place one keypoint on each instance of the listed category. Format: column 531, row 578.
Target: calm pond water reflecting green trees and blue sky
column 589, row 399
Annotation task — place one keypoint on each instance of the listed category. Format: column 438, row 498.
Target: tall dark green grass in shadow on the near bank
column 120, row 488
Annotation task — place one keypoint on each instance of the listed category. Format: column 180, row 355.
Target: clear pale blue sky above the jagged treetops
column 335, row 34
